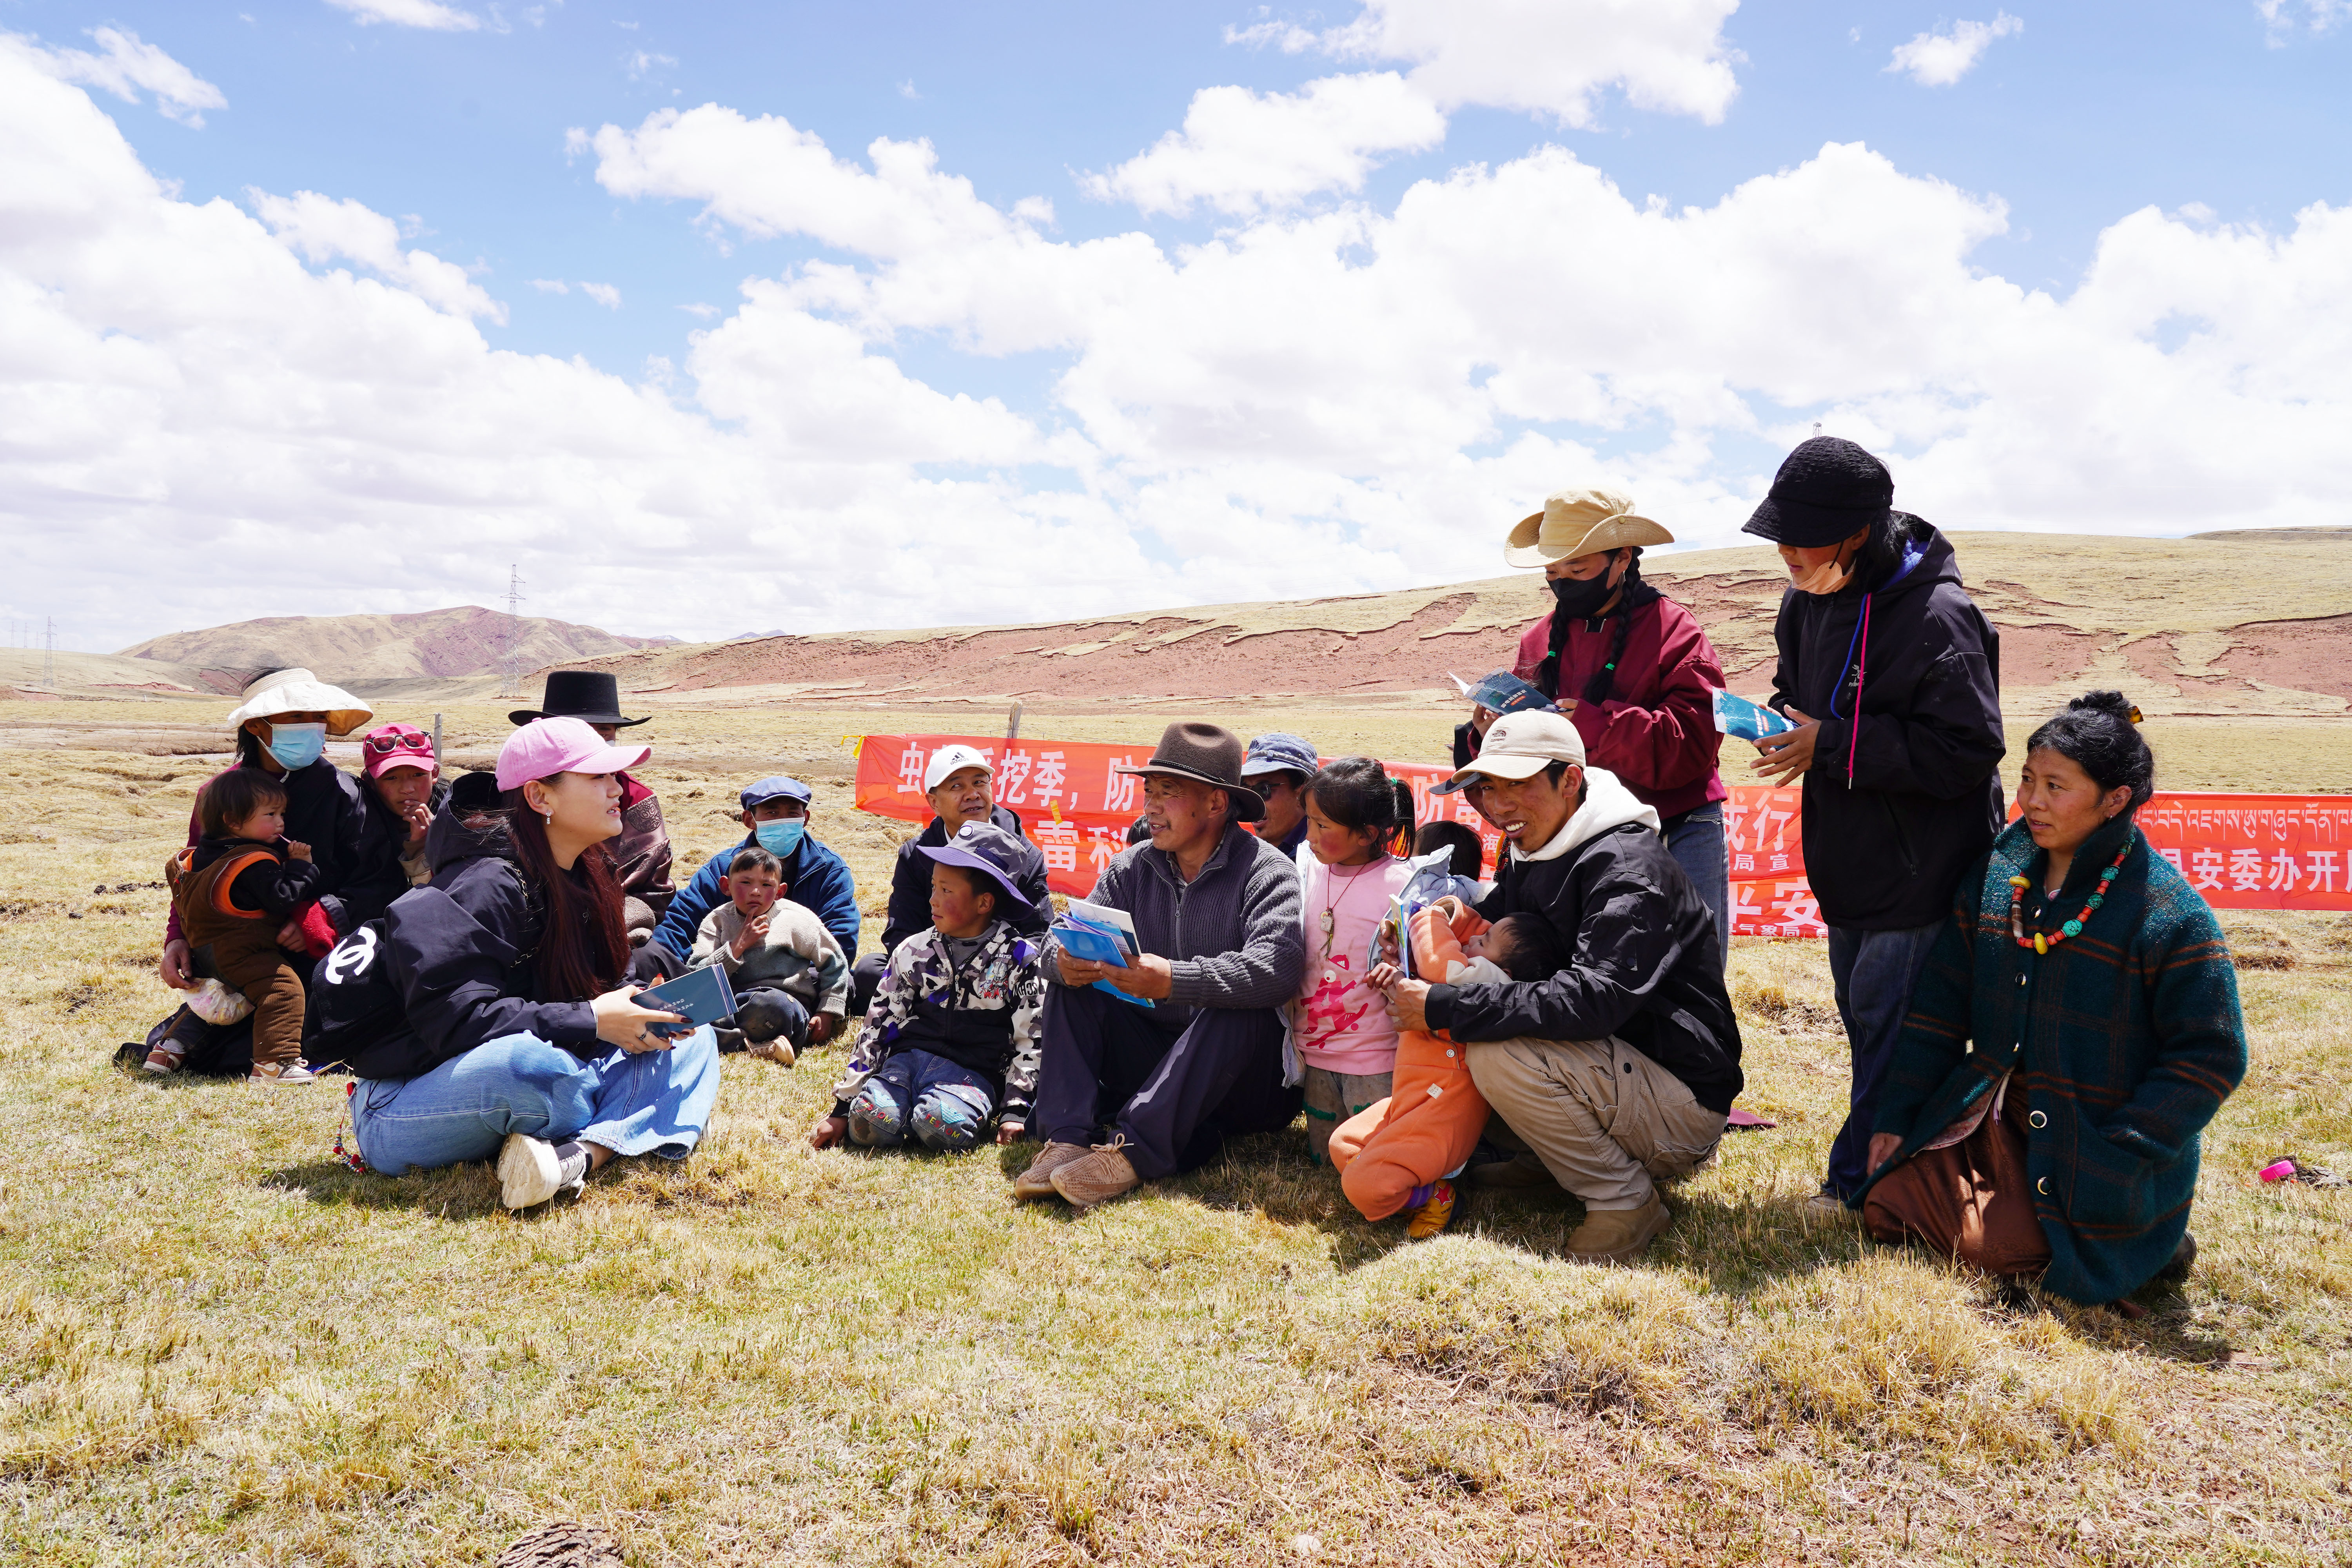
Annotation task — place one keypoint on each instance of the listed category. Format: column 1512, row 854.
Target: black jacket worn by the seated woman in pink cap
column 460, row 953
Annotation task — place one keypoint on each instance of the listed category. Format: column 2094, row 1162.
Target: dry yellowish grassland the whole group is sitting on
column 222, row 1348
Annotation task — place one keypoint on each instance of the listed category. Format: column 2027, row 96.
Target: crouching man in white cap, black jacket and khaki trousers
column 1619, row 1071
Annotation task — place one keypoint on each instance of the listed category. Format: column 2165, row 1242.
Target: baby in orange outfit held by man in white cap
column 1398, row 1153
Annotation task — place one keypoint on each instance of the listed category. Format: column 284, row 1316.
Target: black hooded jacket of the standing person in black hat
column 1925, row 756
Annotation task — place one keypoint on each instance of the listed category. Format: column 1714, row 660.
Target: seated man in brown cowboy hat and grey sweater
column 1156, row 1090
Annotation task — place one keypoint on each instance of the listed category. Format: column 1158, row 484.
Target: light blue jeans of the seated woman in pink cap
column 653, row 1104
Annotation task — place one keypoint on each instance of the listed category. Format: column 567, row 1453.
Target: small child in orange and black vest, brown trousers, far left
column 234, row 890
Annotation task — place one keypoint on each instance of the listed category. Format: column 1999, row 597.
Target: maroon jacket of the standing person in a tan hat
column 1657, row 732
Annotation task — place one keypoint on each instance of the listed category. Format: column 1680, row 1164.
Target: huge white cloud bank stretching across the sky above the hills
column 1307, row 403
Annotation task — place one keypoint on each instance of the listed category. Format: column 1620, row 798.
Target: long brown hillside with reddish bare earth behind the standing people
column 2217, row 624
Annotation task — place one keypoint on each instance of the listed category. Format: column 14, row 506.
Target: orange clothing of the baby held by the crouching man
column 1434, row 1118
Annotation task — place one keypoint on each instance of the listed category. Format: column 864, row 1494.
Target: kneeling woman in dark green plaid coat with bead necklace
column 2104, row 1010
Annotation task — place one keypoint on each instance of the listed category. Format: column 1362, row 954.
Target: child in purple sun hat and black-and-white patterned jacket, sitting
column 954, row 1036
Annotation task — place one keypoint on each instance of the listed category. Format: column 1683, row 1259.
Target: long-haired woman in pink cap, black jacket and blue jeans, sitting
column 519, row 1038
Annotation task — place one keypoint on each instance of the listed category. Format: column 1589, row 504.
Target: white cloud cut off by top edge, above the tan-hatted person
column 1553, row 60
